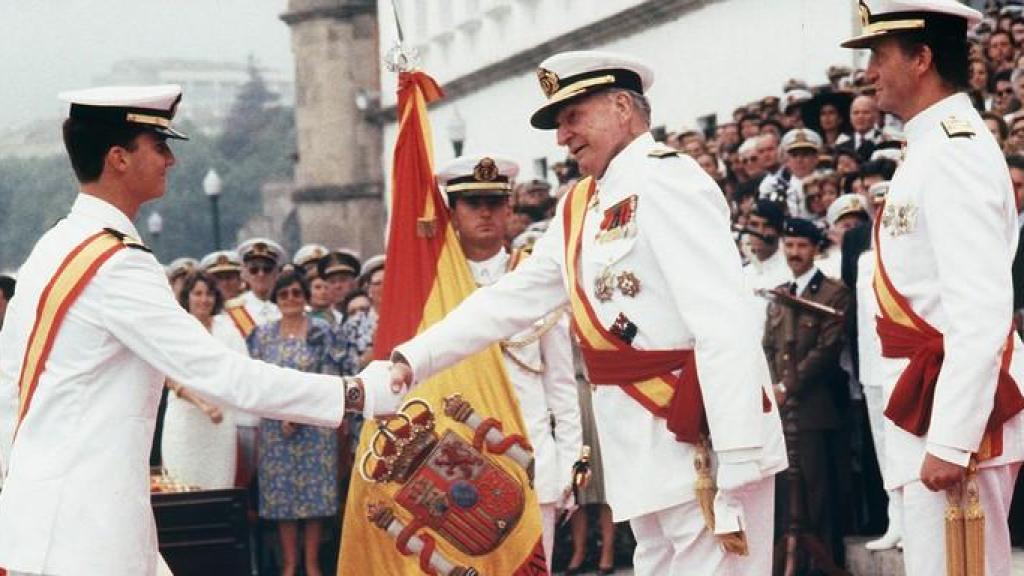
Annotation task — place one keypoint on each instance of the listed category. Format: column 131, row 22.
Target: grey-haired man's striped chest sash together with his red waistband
column 646, row 376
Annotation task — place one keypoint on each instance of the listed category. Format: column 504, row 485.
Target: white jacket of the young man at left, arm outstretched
column 76, row 501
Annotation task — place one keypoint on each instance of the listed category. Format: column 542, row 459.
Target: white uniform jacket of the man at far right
column 948, row 241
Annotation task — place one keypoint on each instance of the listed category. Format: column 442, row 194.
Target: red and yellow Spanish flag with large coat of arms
column 445, row 486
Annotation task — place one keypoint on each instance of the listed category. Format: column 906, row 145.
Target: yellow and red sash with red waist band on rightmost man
column 905, row 335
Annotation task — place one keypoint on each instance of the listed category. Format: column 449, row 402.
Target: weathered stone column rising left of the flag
column 339, row 188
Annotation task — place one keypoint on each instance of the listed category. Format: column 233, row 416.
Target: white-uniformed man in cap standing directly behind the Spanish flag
column 538, row 361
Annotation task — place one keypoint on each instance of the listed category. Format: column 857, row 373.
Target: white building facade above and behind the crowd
column 709, row 57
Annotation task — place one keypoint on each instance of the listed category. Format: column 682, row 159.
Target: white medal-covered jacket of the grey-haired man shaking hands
column 692, row 297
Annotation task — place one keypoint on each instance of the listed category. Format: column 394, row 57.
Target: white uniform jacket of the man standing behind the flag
column 550, row 393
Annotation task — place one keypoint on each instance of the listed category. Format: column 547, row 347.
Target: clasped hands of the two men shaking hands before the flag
column 379, row 389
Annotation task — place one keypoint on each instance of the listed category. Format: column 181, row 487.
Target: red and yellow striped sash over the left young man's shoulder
column 68, row 283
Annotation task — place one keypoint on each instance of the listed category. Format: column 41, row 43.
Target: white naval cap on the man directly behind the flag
column 478, row 175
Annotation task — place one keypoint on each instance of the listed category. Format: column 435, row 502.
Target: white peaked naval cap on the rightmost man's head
column 881, row 19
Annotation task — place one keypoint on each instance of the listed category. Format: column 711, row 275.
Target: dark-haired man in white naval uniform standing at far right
column 945, row 242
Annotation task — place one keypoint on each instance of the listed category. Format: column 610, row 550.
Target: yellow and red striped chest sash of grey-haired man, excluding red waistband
column 654, row 394
